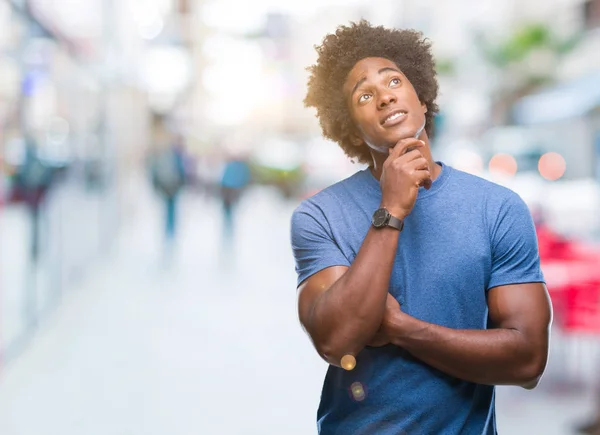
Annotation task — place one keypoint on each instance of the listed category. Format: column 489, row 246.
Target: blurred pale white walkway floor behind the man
column 209, row 344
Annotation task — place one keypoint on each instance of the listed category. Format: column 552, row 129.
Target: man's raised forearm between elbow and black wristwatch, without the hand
column 348, row 314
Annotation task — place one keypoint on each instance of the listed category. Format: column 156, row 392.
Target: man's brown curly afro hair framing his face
column 338, row 54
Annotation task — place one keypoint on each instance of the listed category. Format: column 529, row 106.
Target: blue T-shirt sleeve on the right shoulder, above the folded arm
column 515, row 254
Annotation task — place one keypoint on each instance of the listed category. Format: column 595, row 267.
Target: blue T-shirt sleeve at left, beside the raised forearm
column 312, row 243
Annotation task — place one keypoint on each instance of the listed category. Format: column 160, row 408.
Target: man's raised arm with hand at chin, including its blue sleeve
column 341, row 308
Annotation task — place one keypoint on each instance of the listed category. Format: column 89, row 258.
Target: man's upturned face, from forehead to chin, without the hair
column 383, row 104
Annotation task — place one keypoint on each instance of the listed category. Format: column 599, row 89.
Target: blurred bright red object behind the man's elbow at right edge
column 572, row 272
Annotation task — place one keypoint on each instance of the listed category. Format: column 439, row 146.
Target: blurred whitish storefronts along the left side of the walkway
column 82, row 81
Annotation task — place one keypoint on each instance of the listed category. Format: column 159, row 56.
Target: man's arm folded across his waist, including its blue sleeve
column 515, row 350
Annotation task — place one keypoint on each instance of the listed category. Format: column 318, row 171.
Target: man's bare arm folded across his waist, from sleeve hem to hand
column 514, row 352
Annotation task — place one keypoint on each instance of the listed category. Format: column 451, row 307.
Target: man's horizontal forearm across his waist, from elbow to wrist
column 492, row 357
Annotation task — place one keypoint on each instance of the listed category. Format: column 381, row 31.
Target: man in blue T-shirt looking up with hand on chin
column 425, row 277
